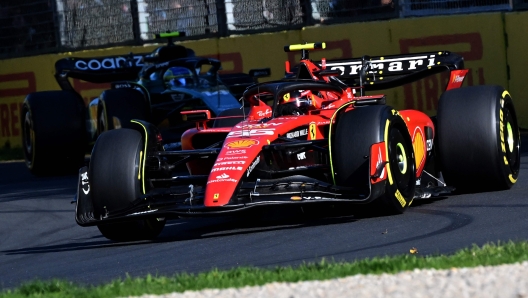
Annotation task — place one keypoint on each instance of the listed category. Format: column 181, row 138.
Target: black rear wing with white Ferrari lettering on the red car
column 383, row 72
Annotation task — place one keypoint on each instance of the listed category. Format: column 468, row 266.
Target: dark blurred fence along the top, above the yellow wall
column 31, row 27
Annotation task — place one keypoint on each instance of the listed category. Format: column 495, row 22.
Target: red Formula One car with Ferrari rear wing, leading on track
column 310, row 138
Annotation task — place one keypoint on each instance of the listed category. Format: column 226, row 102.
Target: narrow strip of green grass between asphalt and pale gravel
column 489, row 254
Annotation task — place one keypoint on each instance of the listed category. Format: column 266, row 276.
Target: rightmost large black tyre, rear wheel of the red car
column 478, row 139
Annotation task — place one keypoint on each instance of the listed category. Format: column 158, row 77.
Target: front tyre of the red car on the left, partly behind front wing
column 116, row 183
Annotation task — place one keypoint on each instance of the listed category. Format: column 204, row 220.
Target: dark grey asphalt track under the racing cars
column 40, row 239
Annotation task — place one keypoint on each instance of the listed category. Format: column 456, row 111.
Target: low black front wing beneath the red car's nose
column 187, row 200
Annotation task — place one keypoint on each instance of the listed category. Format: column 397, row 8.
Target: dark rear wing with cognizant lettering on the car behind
column 98, row 69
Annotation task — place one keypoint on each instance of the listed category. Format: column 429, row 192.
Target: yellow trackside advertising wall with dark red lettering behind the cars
column 479, row 38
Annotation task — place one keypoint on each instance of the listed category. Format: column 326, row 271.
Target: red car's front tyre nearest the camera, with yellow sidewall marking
column 356, row 131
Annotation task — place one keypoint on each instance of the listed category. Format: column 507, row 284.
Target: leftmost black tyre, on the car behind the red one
column 53, row 132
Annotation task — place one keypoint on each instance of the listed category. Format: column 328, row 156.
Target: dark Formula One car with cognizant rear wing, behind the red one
column 59, row 128
